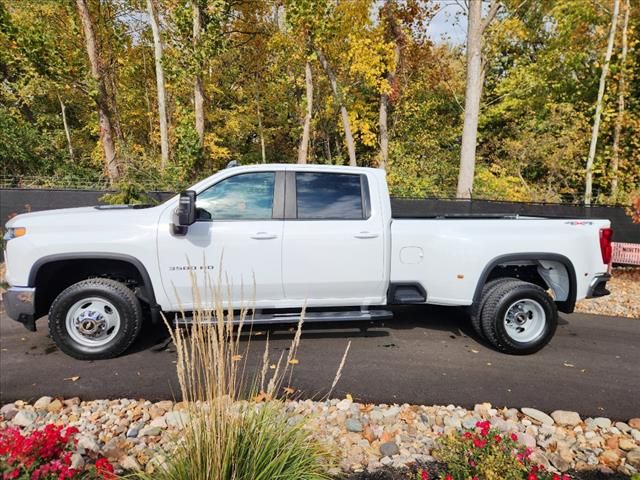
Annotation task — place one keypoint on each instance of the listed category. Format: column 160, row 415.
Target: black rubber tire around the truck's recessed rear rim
column 498, row 303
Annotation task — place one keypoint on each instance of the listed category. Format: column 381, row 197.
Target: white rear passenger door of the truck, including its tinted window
column 333, row 240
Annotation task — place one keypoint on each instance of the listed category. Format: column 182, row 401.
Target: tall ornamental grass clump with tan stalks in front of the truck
column 236, row 428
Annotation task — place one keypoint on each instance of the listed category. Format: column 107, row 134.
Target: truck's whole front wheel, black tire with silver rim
column 95, row 319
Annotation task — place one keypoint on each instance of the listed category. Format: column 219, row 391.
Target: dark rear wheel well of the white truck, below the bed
column 549, row 271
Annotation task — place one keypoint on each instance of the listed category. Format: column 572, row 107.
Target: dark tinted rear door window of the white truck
column 329, row 196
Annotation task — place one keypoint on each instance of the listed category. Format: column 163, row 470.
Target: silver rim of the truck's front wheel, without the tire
column 93, row 322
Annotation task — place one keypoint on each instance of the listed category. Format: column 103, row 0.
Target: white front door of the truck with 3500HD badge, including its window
column 234, row 249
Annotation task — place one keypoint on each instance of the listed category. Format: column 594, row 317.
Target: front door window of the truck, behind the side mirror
column 248, row 196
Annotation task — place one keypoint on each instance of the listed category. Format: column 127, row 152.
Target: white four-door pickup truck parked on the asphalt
column 282, row 237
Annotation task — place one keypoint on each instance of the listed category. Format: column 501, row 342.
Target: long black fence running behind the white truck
column 16, row 200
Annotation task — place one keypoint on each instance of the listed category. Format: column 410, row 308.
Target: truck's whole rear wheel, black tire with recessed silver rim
column 519, row 317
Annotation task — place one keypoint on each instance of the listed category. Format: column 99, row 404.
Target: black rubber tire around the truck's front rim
column 115, row 293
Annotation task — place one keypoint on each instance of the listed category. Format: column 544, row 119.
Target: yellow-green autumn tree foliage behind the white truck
column 542, row 70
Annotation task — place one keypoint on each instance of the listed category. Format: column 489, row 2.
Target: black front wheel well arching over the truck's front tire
column 53, row 277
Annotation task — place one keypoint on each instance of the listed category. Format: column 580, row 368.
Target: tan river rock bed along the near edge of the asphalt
column 140, row 435
